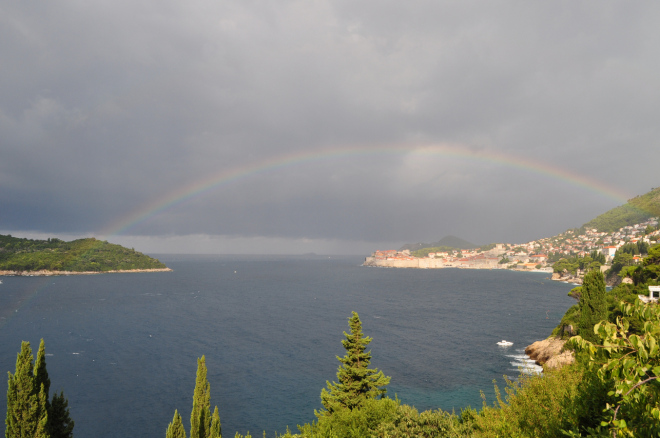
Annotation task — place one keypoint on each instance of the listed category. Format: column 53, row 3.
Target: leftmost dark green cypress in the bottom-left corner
column 27, row 415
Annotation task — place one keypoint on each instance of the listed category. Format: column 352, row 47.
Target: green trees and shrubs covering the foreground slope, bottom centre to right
column 611, row 390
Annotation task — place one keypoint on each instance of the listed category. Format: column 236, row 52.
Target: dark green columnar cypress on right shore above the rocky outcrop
column 593, row 307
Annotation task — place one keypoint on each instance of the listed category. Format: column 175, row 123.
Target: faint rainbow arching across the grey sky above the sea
column 211, row 182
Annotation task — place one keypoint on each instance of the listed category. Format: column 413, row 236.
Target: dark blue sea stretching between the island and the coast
column 123, row 347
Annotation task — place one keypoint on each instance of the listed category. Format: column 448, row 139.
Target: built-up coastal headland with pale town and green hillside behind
column 612, row 242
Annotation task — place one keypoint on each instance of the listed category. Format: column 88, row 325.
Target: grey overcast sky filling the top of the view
column 492, row 121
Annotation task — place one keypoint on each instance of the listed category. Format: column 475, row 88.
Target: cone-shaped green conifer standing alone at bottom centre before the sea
column 356, row 382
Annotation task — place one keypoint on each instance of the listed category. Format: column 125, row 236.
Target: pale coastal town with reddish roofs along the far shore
column 537, row 255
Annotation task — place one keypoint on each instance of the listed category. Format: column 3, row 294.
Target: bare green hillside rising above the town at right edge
column 636, row 210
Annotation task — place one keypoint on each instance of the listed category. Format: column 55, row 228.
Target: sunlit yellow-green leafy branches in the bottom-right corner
column 631, row 362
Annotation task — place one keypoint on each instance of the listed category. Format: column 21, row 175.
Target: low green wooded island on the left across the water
column 82, row 255
